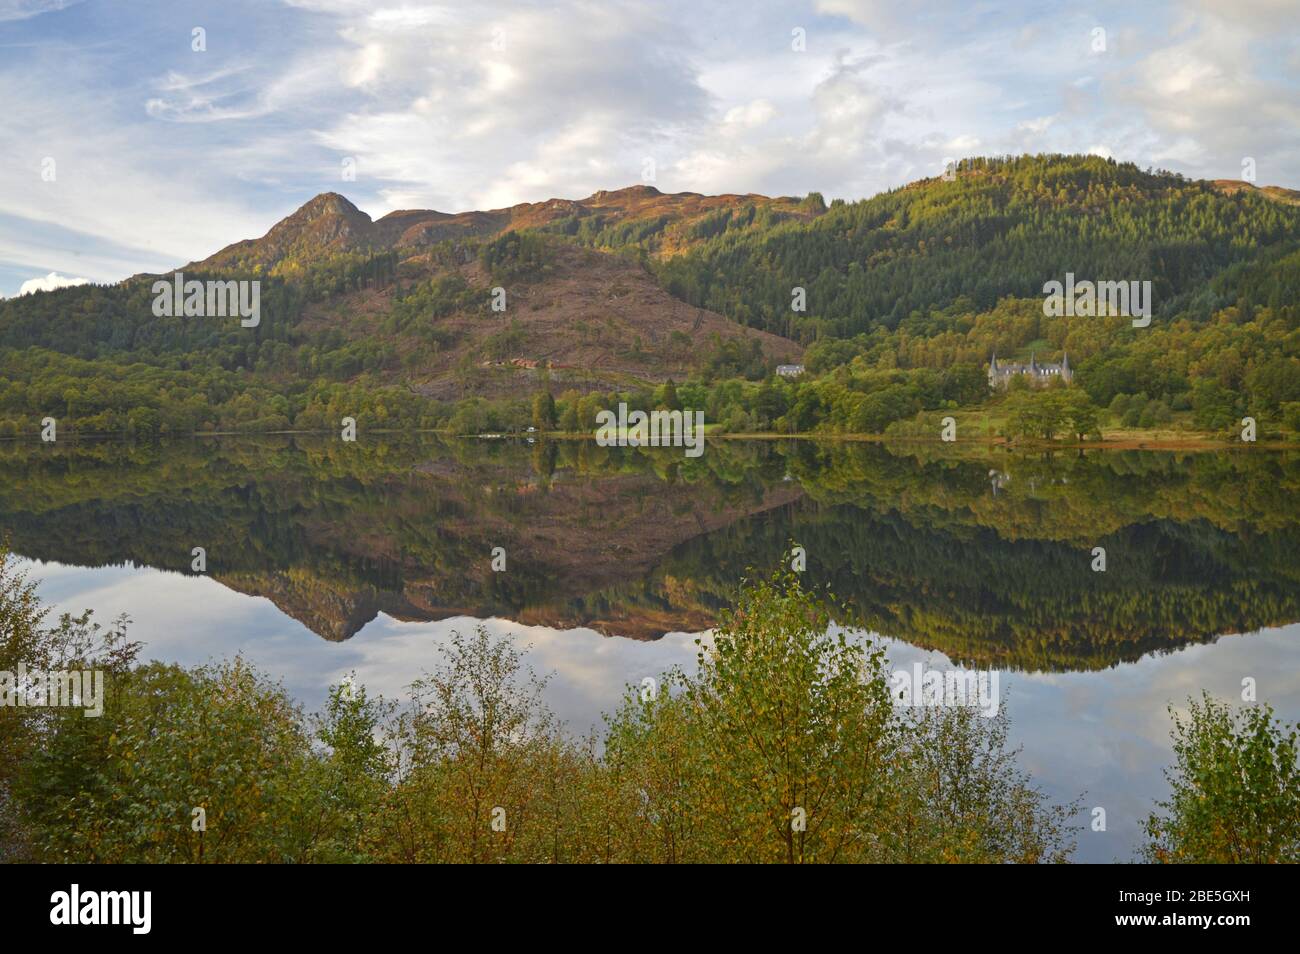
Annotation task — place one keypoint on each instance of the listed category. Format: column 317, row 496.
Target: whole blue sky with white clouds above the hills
column 137, row 136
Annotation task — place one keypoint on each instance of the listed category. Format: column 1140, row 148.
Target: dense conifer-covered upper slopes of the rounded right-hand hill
column 1002, row 228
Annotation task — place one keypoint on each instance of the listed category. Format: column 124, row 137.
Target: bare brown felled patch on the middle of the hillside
column 588, row 318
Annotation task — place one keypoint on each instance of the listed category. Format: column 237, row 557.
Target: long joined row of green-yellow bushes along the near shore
column 786, row 747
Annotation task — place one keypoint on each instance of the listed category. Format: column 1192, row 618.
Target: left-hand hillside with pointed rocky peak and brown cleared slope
column 352, row 306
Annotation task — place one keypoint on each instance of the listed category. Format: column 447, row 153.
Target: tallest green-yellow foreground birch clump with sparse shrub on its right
column 786, row 747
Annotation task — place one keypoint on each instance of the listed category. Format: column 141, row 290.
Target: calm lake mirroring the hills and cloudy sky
column 326, row 558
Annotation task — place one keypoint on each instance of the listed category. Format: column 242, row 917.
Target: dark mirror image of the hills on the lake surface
column 924, row 545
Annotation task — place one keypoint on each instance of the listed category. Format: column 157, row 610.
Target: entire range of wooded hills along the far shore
column 609, row 298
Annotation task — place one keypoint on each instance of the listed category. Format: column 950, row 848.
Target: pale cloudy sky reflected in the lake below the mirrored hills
column 1104, row 734
